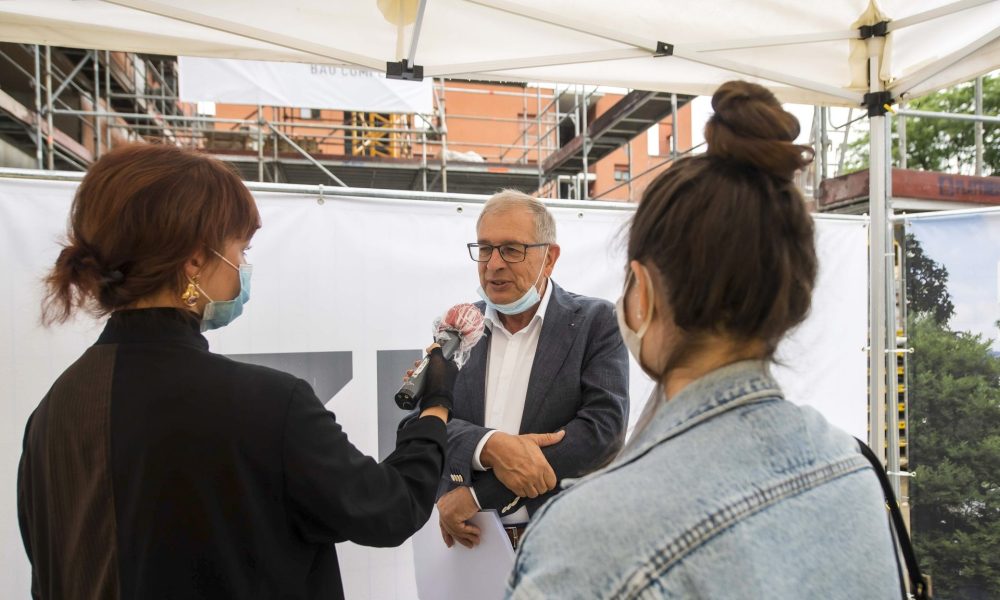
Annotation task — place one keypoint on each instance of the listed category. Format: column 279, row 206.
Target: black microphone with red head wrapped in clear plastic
column 457, row 331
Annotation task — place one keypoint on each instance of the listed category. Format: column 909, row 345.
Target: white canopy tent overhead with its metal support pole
column 837, row 52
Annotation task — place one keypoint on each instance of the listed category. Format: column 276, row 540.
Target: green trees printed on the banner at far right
column 954, row 448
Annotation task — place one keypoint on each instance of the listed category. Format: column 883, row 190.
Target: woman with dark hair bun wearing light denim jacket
column 726, row 489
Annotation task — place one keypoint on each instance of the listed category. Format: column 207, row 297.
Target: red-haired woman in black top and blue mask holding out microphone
column 154, row 468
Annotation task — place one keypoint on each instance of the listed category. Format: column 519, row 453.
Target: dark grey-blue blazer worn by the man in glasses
column 578, row 382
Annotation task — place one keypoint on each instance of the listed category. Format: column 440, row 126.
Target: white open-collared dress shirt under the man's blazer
column 508, row 369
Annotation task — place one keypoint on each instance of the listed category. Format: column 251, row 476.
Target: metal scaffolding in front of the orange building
column 77, row 104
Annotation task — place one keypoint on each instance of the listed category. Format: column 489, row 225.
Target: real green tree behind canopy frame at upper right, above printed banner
column 940, row 144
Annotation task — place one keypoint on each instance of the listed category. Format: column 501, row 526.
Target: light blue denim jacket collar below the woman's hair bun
column 736, row 384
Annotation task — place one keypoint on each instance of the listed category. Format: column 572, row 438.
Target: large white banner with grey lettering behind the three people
column 365, row 276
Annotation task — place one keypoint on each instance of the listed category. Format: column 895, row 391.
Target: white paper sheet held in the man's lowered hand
column 458, row 572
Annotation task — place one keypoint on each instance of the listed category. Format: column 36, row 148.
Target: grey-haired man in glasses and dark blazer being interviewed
column 544, row 395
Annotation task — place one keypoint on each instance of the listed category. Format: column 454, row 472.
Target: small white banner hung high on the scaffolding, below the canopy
column 298, row 84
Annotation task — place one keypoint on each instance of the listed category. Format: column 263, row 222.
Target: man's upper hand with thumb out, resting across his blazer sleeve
column 519, row 463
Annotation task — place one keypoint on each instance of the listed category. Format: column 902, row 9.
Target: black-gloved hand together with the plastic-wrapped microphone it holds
column 433, row 379
